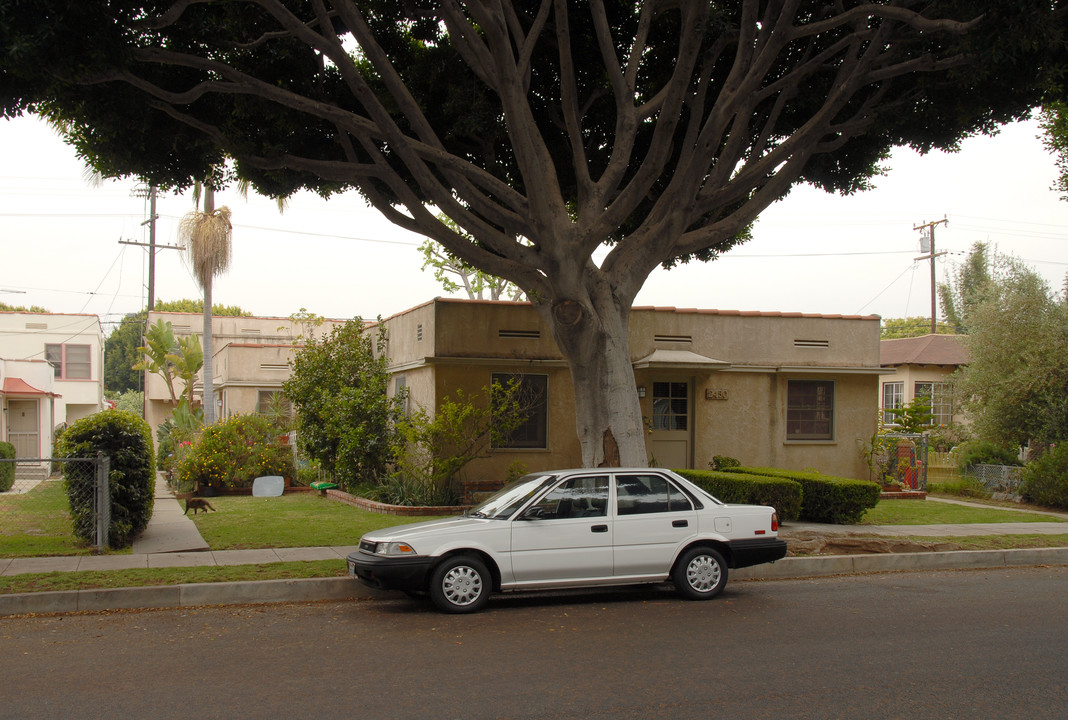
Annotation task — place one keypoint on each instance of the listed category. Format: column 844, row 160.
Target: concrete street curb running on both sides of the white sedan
column 345, row 589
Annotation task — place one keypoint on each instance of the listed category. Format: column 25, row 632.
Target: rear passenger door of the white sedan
column 653, row 518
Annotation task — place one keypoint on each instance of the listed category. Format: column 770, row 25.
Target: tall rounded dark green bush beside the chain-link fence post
column 127, row 440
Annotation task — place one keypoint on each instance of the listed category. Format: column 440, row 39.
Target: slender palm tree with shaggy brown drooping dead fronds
column 207, row 239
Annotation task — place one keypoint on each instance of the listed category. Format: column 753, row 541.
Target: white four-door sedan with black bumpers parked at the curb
column 574, row 529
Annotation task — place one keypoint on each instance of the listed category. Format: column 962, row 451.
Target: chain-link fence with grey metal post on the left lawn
column 26, row 482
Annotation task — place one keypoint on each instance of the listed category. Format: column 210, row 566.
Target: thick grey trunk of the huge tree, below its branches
column 593, row 336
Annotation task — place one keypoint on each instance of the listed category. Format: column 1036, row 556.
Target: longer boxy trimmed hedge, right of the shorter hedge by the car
column 826, row 498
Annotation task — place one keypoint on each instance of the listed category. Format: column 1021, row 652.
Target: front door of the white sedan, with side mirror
column 567, row 537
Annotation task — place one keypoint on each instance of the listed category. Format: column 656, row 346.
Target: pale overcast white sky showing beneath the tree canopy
column 811, row 253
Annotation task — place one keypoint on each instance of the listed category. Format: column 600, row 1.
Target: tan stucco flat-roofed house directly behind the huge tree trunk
column 789, row 390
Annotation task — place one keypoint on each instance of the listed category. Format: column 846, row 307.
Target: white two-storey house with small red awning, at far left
column 52, row 373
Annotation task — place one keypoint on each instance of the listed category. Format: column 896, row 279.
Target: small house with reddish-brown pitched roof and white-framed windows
column 921, row 368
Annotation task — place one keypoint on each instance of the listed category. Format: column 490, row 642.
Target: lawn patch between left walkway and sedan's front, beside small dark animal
column 301, row 520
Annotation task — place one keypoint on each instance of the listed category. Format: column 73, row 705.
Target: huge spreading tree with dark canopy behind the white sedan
column 544, row 130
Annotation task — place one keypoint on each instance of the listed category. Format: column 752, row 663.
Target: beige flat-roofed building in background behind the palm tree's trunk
column 252, row 359
